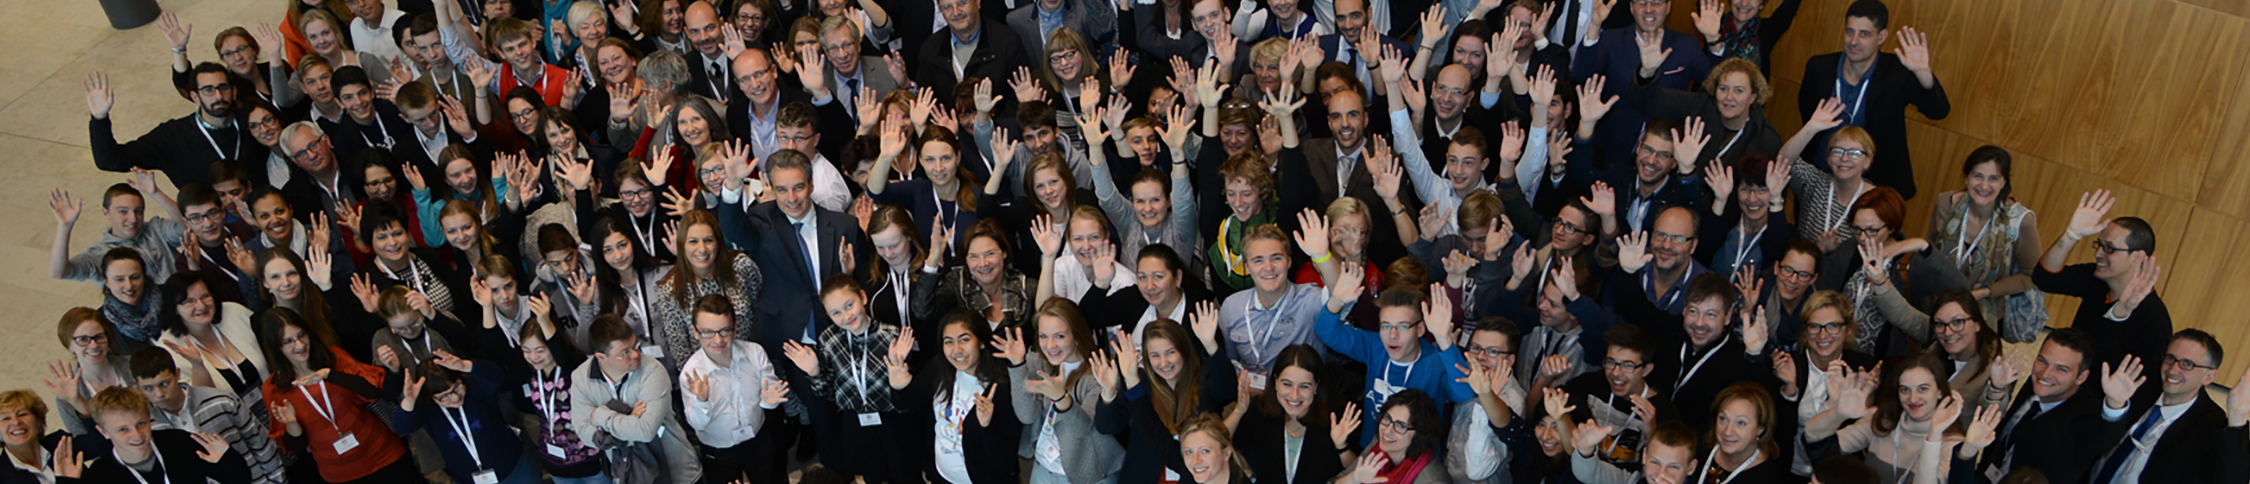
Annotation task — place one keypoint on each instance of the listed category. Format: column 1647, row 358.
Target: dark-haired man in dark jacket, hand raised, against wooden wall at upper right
column 1875, row 91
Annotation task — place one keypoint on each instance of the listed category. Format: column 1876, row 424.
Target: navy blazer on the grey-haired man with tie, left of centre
column 791, row 292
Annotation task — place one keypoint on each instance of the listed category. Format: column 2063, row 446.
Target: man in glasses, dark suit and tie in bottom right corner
column 2181, row 436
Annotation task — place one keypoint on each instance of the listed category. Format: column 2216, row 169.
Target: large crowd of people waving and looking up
column 1088, row 242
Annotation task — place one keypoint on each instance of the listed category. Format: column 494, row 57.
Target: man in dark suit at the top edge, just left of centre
column 969, row 48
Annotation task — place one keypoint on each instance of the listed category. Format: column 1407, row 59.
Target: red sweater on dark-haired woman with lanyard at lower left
column 379, row 447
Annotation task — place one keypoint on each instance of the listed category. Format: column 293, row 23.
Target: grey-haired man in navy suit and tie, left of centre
column 795, row 244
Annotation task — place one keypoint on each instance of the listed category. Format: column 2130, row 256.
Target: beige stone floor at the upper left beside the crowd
column 46, row 53
